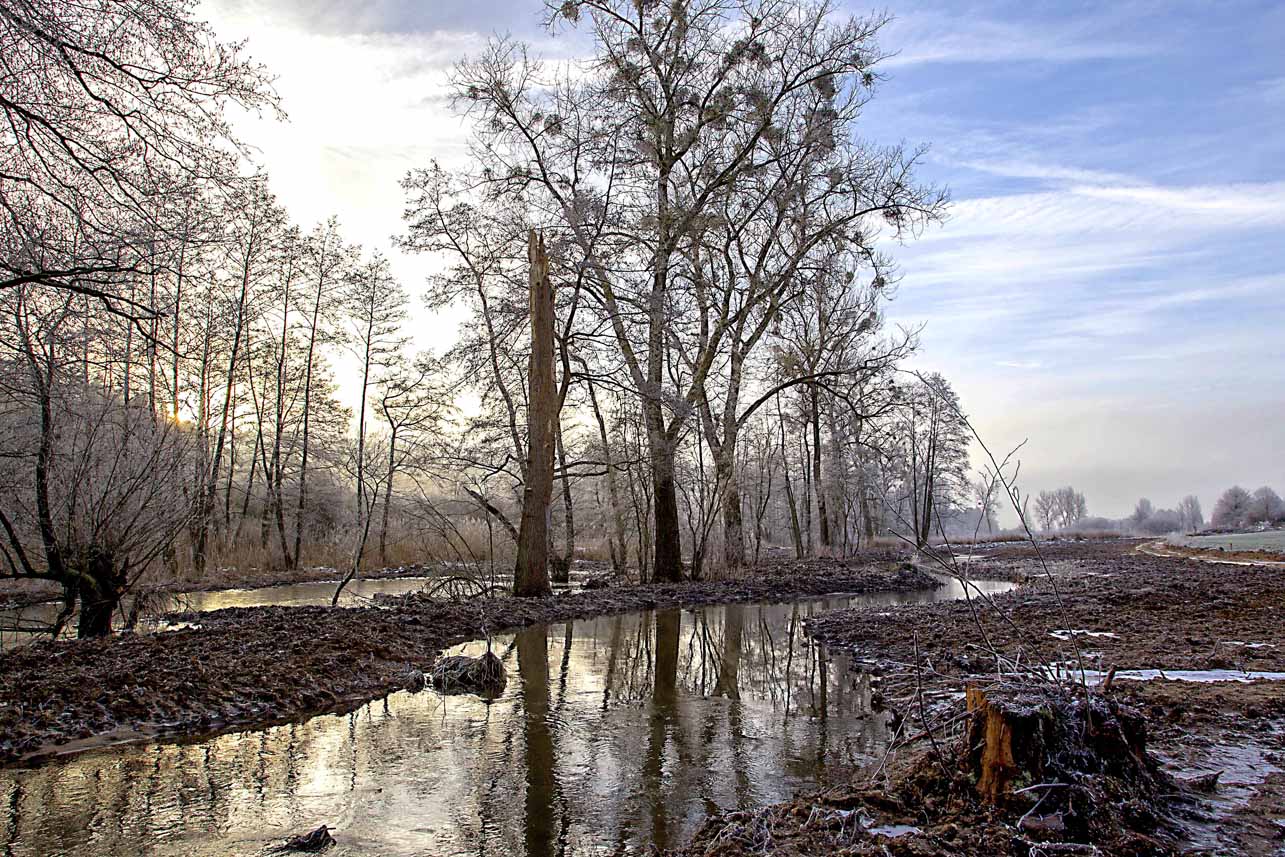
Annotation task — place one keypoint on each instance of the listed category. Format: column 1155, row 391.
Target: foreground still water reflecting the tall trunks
column 611, row 734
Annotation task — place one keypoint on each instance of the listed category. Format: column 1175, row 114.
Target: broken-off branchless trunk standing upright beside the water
column 531, row 574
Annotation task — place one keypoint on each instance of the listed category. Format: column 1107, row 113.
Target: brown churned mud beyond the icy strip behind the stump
column 1130, row 612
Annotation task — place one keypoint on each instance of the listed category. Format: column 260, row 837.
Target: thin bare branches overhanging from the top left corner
column 112, row 114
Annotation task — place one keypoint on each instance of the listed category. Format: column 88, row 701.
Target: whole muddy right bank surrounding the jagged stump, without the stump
column 1110, row 610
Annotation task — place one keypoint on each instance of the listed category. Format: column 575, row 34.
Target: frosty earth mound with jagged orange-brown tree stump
column 1075, row 770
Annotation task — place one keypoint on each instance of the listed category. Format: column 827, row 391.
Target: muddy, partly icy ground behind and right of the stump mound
column 1147, row 624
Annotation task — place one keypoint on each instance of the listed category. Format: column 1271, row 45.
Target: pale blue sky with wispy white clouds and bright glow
column 1110, row 286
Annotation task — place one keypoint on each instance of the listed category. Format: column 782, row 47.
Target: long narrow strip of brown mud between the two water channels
column 250, row 667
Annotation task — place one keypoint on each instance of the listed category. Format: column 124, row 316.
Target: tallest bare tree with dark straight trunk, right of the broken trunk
column 670, row 119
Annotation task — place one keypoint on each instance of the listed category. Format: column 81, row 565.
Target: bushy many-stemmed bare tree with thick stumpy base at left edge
column 93, row 482
